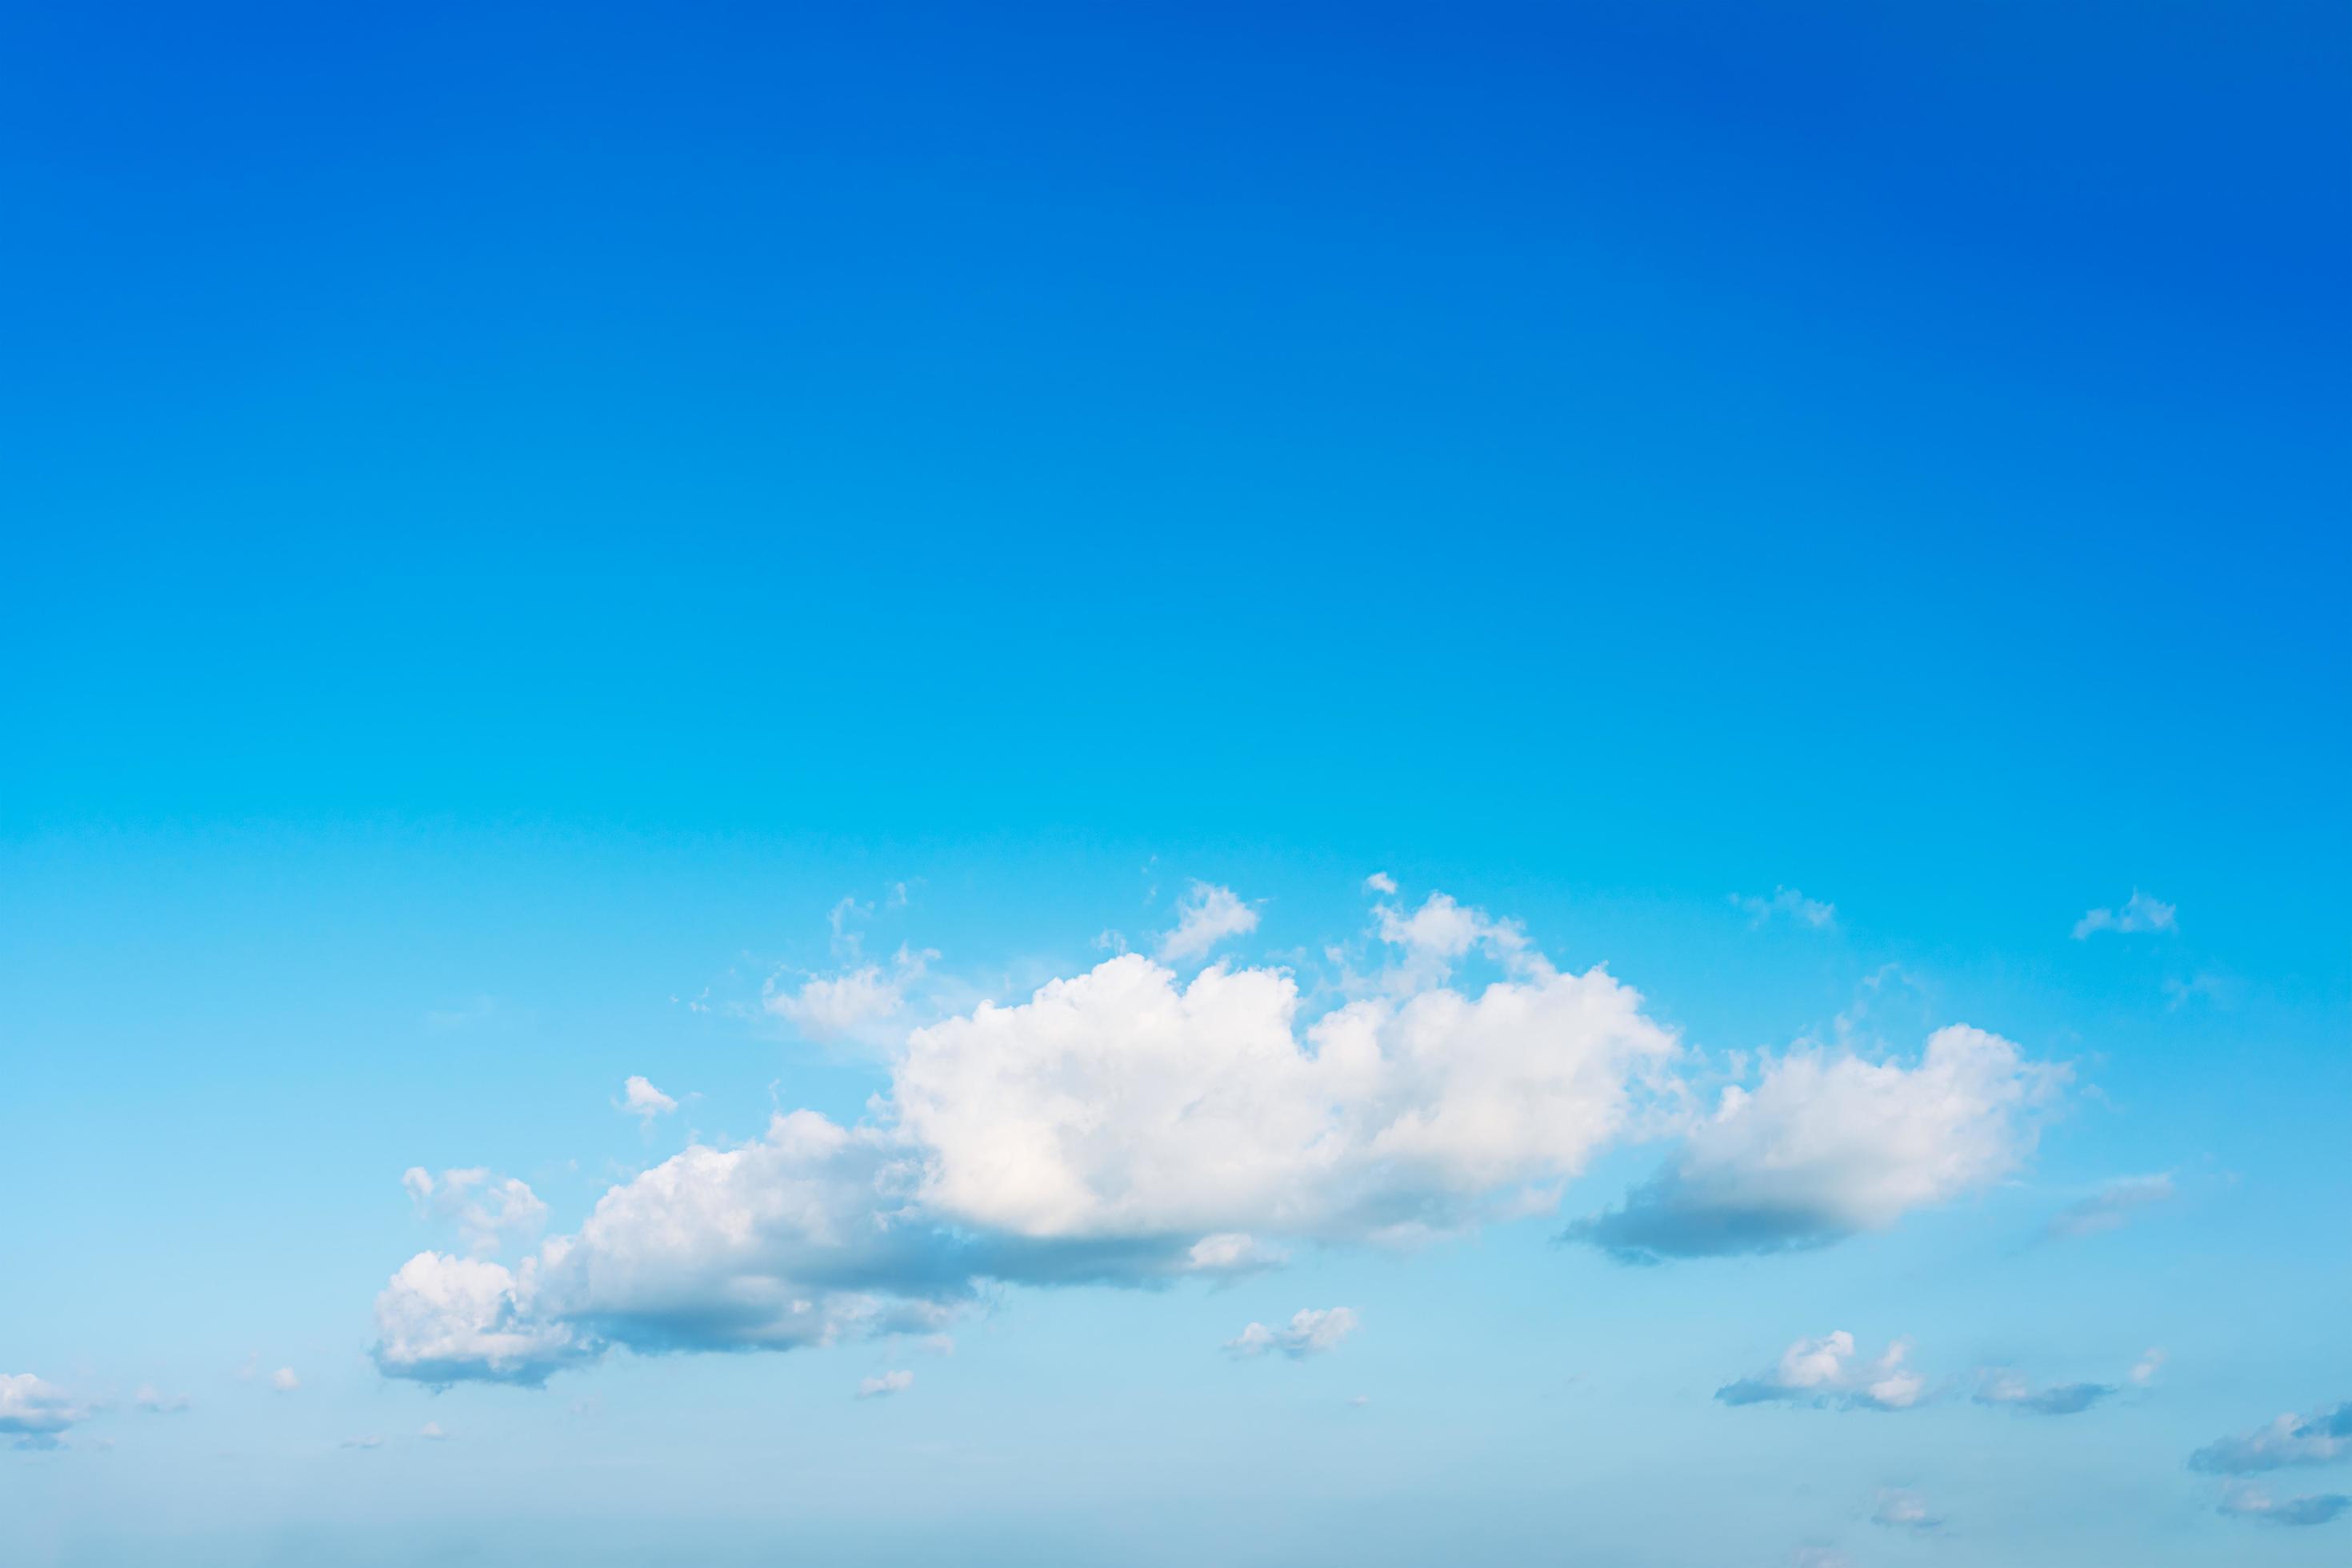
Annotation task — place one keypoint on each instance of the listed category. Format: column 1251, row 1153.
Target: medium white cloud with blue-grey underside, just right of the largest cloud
column 1831, row 1146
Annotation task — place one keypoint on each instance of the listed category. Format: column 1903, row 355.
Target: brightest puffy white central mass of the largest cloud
column 1125, row 1104
